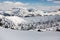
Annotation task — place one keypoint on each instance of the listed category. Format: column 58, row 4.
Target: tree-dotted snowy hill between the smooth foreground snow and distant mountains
column 42, row 23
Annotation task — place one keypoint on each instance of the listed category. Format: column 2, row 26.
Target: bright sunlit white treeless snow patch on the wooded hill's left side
column 16, row 19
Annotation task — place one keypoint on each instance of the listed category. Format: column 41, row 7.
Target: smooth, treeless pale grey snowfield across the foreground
column 8, row 34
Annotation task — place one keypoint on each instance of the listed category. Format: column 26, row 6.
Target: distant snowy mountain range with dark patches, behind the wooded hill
column 22, row 12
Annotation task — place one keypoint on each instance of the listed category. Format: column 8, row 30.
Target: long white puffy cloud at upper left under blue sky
column 8, row 5
